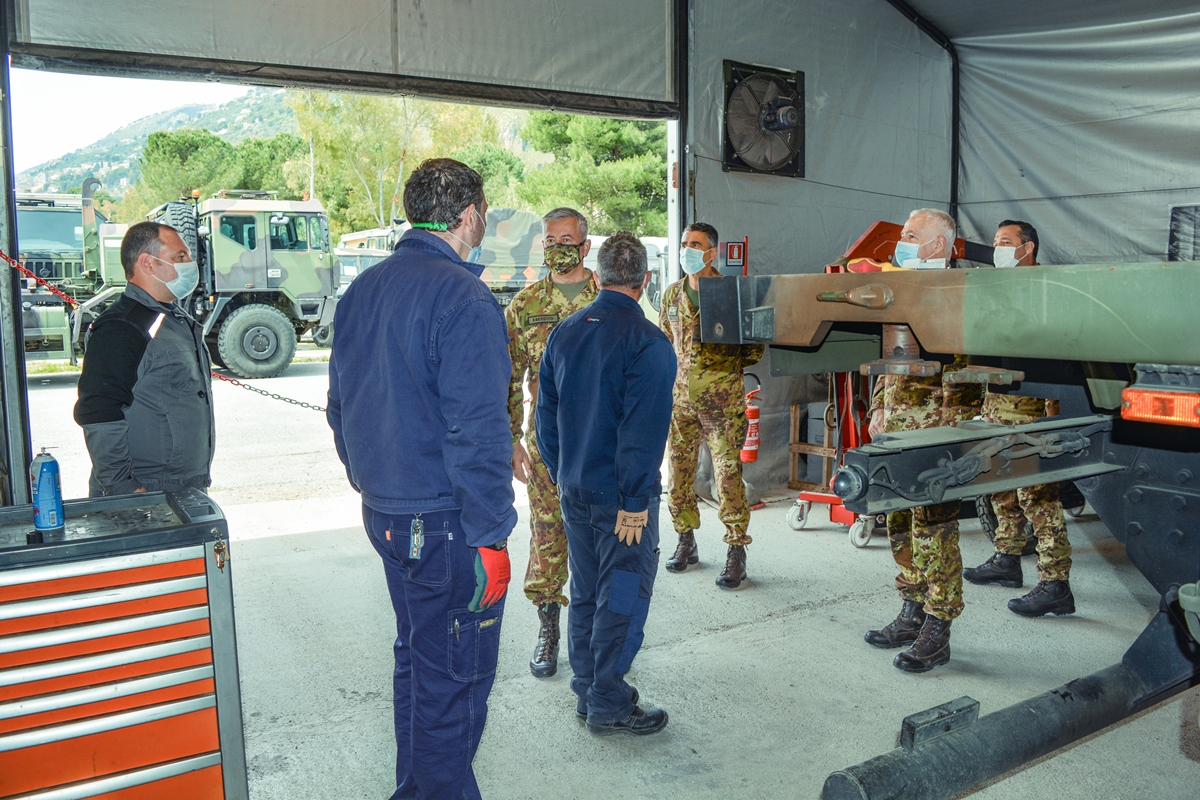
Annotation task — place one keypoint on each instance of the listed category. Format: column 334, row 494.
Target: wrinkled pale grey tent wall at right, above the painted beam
column 1089, row 134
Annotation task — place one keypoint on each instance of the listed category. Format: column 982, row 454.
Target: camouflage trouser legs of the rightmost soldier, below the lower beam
column 1042, row 508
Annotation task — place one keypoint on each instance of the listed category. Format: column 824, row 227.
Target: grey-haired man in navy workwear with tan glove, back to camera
column 604, row 411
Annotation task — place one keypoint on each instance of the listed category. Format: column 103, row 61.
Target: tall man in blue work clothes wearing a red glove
column 418, row 402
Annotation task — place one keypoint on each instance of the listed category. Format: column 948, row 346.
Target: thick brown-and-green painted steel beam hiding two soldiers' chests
column 1084, row 312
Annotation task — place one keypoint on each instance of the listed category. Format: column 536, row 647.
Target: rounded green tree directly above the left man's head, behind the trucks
column 176, row 164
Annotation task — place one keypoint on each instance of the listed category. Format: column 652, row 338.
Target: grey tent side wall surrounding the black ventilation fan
column 878, row 121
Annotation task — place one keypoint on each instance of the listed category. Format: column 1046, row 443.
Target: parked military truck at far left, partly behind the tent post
column 64, row 242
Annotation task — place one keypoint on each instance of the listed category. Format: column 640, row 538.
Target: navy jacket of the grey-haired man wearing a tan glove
column 604, row 404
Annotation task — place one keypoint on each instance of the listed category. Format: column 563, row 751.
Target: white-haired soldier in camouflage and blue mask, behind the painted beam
column 925, row 540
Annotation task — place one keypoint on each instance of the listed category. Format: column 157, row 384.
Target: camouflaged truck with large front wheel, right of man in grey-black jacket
column 267, row 275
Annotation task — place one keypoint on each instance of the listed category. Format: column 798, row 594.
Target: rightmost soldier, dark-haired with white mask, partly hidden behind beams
column 1017, row 245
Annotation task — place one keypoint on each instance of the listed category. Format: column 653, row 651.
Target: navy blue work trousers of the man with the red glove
column 446, row 655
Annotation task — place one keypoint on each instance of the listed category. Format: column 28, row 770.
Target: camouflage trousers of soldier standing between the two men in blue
column 547, row 574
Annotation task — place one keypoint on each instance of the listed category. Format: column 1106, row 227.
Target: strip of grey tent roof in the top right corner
column 971, row 19
